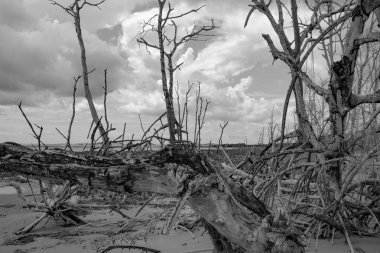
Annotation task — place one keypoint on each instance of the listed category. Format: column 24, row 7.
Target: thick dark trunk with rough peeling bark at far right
column 340, row 89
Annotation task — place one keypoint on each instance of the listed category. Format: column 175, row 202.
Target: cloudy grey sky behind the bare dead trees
column 39, row 56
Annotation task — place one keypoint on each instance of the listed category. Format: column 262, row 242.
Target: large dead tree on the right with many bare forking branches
column 331, row 149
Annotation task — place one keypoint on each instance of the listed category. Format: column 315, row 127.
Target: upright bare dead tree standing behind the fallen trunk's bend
column 167, row 44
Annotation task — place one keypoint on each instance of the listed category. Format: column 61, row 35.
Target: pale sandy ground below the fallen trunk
column 56, row 238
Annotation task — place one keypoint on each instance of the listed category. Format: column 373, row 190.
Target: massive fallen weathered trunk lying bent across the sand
column 231, row 209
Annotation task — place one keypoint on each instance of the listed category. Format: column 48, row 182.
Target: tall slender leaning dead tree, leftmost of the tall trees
column 74, row 10
